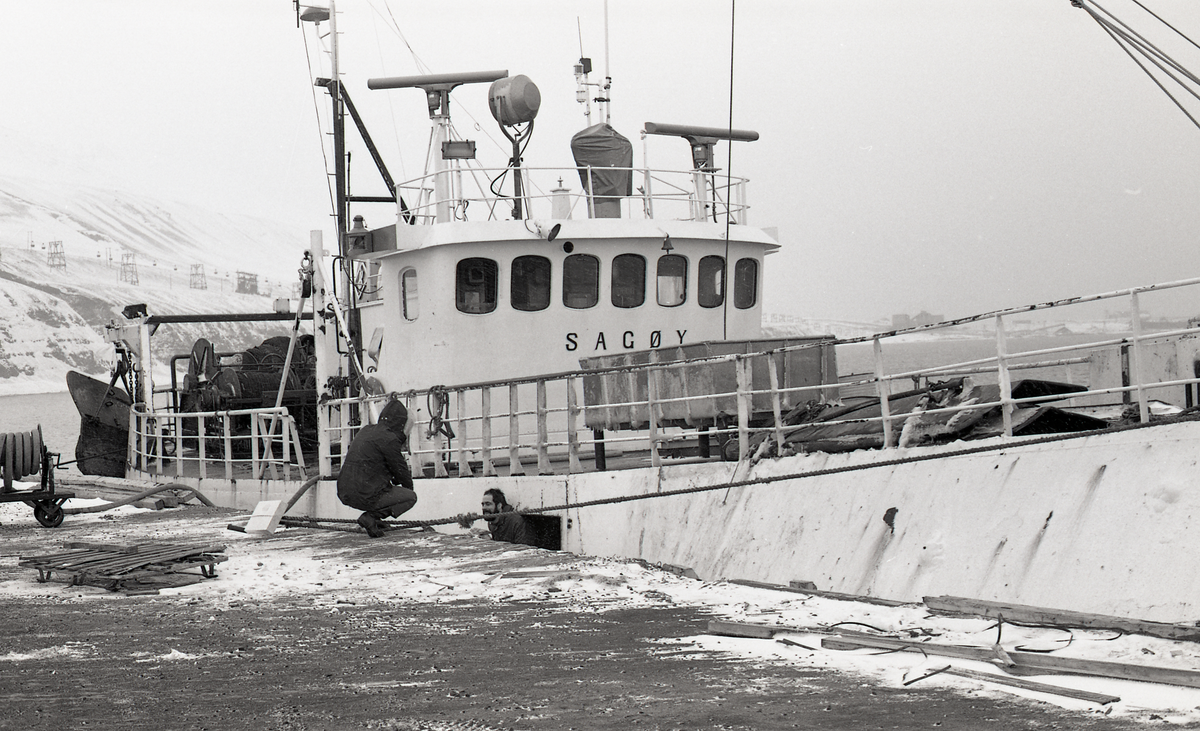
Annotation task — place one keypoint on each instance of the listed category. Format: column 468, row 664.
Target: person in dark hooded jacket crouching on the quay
column 375, row 475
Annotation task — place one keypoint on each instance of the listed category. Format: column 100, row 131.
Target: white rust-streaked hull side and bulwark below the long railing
column 1100, row 524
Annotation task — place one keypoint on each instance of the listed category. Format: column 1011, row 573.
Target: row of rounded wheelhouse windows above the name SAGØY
column 477, row 283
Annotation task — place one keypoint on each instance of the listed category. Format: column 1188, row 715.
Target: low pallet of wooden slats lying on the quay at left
column 133, row 570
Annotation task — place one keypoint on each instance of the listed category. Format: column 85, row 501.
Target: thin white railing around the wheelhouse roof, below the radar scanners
column 557, row 194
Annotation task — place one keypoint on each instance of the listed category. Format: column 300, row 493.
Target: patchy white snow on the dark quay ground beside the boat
column 299, row 564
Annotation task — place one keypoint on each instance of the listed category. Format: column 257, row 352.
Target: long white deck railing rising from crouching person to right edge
column 542, row 424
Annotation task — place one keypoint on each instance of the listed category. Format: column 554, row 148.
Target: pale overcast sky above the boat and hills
column 952, row 157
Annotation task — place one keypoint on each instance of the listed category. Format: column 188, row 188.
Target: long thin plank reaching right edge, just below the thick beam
column 1025, row 663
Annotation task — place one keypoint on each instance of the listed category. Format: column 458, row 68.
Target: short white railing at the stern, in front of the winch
column 256, row 444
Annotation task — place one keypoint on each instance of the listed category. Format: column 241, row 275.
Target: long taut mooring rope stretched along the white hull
column 316, row 523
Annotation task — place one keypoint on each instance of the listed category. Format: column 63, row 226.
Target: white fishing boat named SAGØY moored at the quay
column 643, row 412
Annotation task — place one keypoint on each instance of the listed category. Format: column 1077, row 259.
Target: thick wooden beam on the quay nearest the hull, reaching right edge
column 1055, row 618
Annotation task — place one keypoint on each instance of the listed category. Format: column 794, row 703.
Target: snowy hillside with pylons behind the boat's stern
column 121, row 249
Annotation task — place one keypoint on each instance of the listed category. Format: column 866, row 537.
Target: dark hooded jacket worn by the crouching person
column 376, row 460
